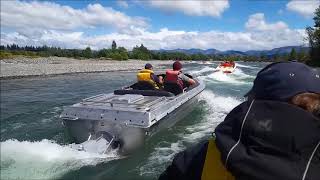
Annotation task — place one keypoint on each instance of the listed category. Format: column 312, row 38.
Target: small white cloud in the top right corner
column 305, row 8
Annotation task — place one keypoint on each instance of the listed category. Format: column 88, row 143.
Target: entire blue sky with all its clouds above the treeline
column 224, row 25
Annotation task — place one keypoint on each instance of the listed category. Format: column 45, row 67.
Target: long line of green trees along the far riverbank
column 140, row 52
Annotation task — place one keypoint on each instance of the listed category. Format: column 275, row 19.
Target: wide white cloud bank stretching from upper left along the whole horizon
column 33, row 25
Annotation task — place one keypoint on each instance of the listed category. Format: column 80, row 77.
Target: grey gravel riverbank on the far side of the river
column 21, row 67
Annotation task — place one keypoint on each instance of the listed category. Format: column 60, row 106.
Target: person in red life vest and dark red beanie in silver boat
column 175, row 80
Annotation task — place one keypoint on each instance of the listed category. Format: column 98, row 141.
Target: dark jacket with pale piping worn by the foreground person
column 277, row 141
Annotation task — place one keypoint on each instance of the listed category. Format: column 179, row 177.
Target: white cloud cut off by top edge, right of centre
column 192, row 7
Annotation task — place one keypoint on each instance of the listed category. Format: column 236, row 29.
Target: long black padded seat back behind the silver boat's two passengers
column 144, row 92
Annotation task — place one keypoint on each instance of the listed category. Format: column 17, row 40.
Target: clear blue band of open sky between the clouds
column 233, row 19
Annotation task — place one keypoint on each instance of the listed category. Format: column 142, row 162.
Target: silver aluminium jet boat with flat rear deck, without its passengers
column 123, row 119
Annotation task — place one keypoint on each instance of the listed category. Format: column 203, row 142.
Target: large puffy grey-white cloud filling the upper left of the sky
column 49, row 15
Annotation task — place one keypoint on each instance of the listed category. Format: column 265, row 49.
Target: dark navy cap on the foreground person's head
column 281, row 81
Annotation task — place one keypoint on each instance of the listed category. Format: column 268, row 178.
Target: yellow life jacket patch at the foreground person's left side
column 213, row 168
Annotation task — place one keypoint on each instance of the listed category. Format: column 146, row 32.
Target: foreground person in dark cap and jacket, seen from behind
column 275, row 134
